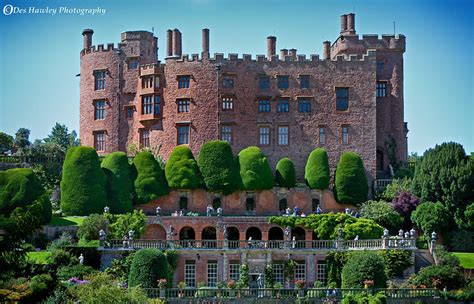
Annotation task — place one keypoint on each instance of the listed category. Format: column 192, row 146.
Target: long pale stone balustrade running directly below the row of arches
column 375, row 244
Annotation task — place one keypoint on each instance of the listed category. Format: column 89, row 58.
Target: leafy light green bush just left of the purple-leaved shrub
column 383, row 214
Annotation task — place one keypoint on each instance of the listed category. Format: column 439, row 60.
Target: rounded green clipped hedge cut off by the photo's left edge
column 18, row 188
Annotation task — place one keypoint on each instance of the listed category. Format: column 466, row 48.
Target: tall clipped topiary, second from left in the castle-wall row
column 119, row 182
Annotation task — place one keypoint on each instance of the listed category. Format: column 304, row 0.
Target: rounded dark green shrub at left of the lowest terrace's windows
column 147, row 267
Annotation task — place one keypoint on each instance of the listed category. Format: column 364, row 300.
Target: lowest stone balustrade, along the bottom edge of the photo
column 312, row 293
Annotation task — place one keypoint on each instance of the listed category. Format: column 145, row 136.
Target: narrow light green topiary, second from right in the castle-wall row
column 316, row 173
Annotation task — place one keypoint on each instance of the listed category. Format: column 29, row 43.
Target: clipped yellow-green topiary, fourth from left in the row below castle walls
column 182, row 171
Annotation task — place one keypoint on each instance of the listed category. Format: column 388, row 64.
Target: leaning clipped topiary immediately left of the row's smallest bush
column 255, row 170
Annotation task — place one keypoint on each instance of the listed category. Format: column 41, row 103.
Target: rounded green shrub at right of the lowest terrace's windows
column 362, row 266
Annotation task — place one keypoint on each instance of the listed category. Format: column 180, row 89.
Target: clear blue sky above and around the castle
column 39, row 52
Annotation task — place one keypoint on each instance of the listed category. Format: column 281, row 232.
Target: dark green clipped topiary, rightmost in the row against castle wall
column 351, row 181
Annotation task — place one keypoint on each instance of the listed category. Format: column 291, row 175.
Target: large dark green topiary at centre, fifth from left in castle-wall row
column 218, row 167
